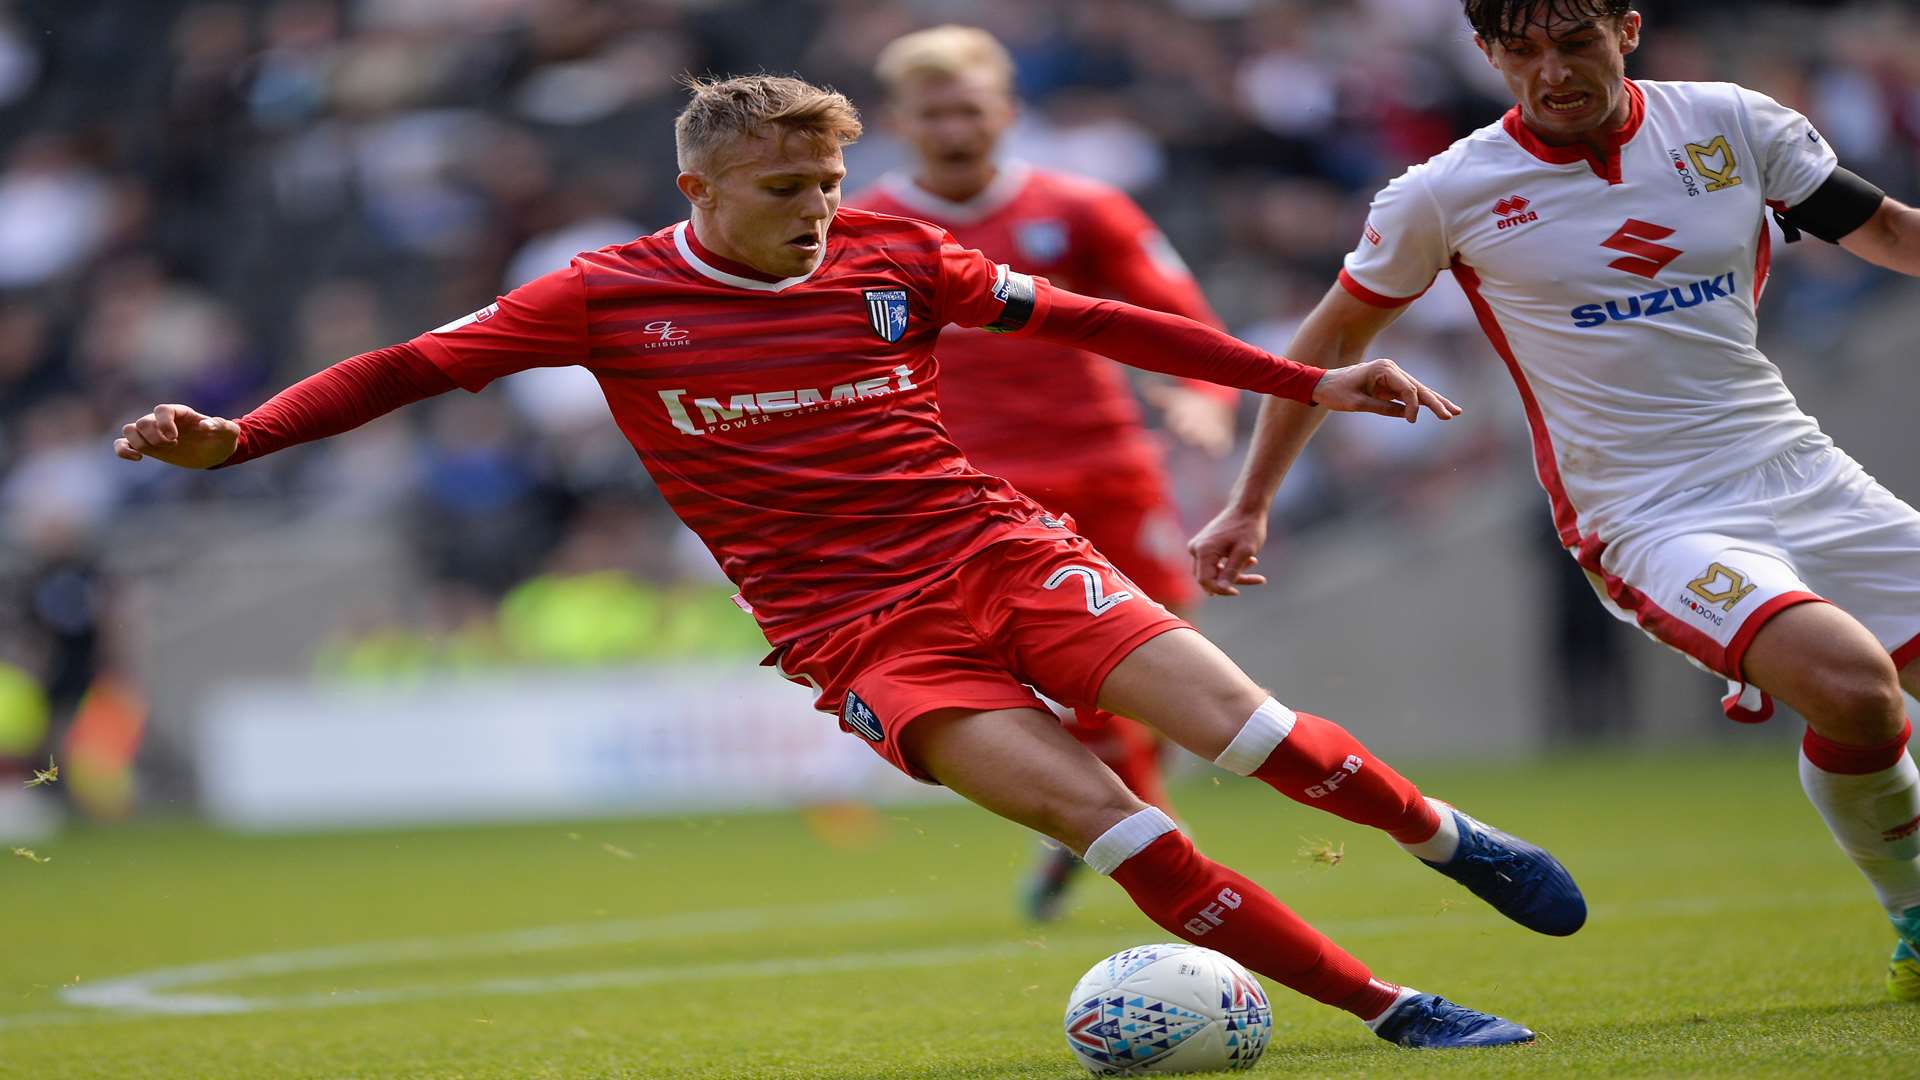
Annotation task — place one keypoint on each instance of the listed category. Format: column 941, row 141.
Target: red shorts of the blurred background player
column 1140, row 531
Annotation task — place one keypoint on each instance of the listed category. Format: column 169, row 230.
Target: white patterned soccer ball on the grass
column 1168, row 1010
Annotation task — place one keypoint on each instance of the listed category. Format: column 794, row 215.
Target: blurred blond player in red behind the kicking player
column 1057, row 422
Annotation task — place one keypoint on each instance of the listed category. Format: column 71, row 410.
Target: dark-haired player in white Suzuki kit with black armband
column 1612, row 237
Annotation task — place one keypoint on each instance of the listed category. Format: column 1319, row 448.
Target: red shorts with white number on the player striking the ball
column 1015, row 618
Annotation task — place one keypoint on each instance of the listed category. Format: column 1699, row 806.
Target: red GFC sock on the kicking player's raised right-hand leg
column 1326, row 768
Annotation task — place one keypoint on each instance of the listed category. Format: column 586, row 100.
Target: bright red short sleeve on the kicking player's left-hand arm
column 544, row 324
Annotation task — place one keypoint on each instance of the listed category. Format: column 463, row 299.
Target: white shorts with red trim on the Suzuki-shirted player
column 1704, row 570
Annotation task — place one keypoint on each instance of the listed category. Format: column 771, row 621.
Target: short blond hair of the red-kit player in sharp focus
column 754, row 107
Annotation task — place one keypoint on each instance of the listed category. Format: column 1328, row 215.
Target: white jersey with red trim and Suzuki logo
column 1620, row 289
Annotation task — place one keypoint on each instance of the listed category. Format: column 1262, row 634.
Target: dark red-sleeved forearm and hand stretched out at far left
column 327, row 403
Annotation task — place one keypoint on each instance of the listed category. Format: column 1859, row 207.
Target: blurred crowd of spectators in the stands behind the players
column 204, row 201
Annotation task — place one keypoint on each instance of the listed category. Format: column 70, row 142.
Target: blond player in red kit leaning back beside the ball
column 771, row 360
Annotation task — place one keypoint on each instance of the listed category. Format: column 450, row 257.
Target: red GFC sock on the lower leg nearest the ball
column 1211, row 906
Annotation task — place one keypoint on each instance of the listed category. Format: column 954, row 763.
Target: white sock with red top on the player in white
column 1877, row 822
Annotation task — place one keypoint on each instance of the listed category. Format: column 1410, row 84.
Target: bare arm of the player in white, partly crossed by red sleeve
column 1335, row 335
